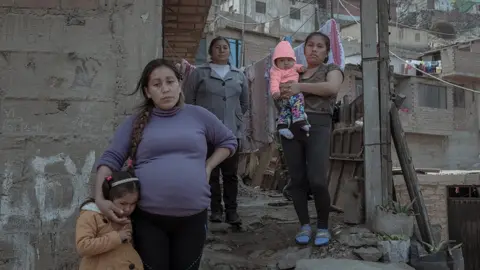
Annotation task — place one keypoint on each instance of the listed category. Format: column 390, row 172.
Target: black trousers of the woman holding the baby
column 307, row 160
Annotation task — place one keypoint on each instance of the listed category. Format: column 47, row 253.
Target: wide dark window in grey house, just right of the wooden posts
column 432, row 96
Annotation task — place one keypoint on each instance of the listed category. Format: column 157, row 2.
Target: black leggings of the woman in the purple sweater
column 169, row 243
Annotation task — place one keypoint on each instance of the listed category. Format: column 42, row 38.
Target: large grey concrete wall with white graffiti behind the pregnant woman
column 64, row 67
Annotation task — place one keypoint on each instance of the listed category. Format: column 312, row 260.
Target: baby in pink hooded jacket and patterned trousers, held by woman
column 285, row 69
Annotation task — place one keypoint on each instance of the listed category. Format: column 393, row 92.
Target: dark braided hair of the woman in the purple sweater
column 145, row 109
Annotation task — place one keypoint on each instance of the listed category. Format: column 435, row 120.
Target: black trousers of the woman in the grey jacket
column 229, row 168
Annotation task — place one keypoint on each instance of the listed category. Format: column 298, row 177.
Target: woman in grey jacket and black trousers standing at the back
column 223, row 90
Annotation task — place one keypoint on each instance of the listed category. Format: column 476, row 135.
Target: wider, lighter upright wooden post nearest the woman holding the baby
column 373, row 179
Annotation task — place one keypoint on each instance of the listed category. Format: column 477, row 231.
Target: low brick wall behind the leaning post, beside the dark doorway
column 434, row 192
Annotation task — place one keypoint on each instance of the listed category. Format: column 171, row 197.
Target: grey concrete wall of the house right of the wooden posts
column 440, row 138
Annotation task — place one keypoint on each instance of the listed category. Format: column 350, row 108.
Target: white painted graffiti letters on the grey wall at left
column 24, row 252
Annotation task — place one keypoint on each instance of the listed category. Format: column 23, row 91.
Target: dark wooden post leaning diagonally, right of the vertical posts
column 410, row 176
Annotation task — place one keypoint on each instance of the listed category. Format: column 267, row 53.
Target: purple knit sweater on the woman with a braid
column 171, row 158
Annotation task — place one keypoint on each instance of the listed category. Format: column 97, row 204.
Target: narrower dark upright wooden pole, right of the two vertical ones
column 385, row 99
